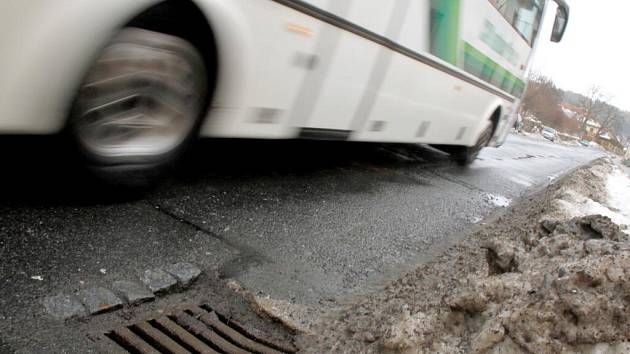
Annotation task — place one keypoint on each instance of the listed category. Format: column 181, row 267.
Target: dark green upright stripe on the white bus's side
column 445, row 29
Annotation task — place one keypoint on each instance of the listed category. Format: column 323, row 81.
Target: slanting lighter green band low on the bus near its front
column 480, row 65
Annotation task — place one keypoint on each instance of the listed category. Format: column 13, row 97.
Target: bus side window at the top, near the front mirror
column 523, row 15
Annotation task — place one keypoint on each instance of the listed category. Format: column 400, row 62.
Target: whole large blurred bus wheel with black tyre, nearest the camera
column 139, row 107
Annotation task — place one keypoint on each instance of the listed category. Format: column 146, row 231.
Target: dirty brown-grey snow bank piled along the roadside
column 552, row 275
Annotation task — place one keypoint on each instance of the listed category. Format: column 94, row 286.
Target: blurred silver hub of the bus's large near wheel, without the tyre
column 139, row 99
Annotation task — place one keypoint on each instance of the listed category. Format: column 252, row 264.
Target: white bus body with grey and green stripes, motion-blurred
column 412, row 71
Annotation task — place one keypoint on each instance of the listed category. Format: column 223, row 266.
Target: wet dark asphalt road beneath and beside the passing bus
column 307, row 222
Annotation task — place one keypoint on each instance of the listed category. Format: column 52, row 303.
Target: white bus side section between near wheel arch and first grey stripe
column 265, row 52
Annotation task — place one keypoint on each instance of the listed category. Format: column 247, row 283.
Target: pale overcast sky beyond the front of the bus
column 595, row 49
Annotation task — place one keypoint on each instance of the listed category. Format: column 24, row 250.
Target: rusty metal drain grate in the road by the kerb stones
column 196, row 329
